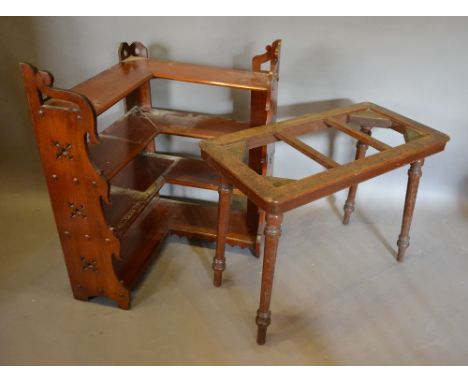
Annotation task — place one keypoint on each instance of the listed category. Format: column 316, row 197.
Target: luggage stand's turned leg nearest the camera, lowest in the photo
column 272, row 235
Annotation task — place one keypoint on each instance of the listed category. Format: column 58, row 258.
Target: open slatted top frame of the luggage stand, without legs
column 225, row 154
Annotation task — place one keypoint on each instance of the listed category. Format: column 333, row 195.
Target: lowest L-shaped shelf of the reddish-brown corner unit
column 164, row 216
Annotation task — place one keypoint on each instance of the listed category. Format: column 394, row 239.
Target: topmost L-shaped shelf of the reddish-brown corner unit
column 113, row 84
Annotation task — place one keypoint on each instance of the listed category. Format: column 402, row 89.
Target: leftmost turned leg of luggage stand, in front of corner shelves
column 219, row 261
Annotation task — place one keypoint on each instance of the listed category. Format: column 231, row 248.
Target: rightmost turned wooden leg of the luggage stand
column 414, row 174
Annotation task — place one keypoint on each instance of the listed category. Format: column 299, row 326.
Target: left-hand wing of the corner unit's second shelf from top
column 121, row 142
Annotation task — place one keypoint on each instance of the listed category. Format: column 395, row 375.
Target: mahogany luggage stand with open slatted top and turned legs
column 276, row 196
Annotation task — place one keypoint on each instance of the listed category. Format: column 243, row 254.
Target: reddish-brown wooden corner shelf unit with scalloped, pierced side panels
column 104, row 188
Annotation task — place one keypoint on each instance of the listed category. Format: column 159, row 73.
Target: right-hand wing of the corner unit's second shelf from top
column 193, row 125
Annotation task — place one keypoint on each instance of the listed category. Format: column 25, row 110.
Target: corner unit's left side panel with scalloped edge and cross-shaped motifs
column 76, row 188
